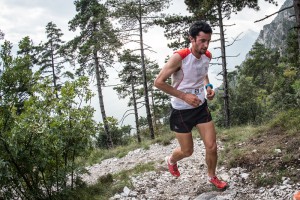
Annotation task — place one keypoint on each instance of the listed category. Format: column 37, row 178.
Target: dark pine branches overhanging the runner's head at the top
column 176, row 26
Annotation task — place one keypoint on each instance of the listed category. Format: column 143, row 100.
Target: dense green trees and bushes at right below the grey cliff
column 265, row 84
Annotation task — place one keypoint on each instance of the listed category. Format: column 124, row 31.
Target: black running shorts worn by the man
column 183, row 121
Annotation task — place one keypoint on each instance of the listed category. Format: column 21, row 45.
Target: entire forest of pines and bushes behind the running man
column 47, row 114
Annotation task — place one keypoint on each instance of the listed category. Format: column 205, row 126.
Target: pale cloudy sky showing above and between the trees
column 20, row 18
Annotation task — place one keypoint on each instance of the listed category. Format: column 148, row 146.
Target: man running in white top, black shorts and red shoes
column 188, row 69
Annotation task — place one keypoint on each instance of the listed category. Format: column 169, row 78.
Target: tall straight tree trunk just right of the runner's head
column 224, row 70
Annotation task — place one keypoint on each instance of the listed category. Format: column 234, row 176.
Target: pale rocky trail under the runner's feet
column 191, row 185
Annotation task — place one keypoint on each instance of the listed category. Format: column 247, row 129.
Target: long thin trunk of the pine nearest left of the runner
column 149, row 117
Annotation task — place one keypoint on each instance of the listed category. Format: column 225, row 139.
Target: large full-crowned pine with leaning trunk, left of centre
column 95, row 45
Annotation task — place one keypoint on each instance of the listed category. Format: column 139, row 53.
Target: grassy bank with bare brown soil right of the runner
column 253, row 148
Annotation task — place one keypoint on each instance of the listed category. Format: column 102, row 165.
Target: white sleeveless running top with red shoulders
column 190, row 77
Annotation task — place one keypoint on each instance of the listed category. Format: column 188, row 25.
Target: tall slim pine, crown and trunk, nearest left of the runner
column 135, row 17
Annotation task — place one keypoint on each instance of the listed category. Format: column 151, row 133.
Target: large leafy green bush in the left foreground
column 39, row 145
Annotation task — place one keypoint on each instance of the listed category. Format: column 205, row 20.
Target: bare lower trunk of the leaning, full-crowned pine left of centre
column 101, row 102
